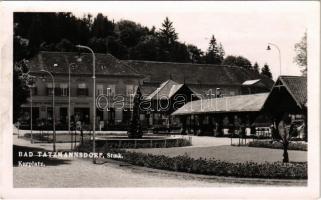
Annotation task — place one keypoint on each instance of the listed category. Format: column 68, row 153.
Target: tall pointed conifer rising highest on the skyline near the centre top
column 167, row 33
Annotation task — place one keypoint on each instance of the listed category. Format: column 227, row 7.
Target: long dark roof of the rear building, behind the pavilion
column 190, row 73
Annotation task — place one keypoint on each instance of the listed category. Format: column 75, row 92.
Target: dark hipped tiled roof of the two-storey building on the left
column 58, row 62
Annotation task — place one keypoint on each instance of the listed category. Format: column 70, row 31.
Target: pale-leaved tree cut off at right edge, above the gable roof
column 301, row 54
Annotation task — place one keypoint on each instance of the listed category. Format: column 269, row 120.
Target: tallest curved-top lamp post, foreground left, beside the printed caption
column 94, row 97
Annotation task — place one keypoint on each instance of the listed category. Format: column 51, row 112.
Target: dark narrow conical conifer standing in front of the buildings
column 135, row 128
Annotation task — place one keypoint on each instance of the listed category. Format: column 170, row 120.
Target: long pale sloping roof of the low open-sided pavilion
column 239, row 103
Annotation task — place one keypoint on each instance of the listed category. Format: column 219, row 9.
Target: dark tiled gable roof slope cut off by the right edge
column 297, row 86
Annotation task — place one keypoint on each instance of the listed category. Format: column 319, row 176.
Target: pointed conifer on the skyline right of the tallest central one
column 215, row 52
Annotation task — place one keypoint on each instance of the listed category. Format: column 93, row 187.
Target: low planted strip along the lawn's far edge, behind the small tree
column 277, row 145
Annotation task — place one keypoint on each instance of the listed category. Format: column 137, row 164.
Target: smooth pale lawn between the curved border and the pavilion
column 229, row 153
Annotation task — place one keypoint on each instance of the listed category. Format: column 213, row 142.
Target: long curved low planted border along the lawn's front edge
column 184, row 163
